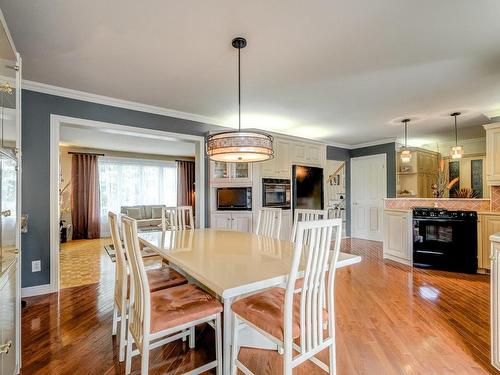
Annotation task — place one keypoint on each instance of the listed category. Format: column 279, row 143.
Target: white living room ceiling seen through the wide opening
column 102, row 139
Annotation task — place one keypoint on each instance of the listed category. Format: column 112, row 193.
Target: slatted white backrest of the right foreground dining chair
column 316, row 257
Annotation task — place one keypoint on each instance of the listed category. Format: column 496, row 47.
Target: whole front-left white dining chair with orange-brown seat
column 166, row 315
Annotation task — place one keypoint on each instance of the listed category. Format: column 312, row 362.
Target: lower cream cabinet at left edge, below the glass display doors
column 8, row 319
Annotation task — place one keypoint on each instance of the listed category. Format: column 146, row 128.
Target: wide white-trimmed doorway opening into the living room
column 137, row 166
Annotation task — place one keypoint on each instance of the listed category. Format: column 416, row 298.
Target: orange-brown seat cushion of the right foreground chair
column 265, row 310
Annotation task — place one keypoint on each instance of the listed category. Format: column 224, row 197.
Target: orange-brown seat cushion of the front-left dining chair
column 181, row 304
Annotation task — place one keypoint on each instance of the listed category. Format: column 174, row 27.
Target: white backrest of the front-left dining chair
column 139, row 306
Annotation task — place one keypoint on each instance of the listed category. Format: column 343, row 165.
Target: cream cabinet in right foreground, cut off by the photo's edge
column 495, row 300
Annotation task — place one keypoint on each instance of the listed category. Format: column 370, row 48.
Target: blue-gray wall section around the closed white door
column 338, row 153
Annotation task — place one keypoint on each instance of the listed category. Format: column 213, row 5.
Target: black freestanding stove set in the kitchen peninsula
column 444, row 239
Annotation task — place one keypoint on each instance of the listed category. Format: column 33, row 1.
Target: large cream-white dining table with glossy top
column 230, row 264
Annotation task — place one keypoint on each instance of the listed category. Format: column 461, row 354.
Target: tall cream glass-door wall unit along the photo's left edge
column 10, row 205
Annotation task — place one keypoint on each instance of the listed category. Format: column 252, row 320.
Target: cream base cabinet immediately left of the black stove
column 398, row 242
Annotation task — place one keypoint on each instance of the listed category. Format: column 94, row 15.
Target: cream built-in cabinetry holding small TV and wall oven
column 241, row 183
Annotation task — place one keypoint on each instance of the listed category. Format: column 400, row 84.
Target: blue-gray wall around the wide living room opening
column 36, row 111
